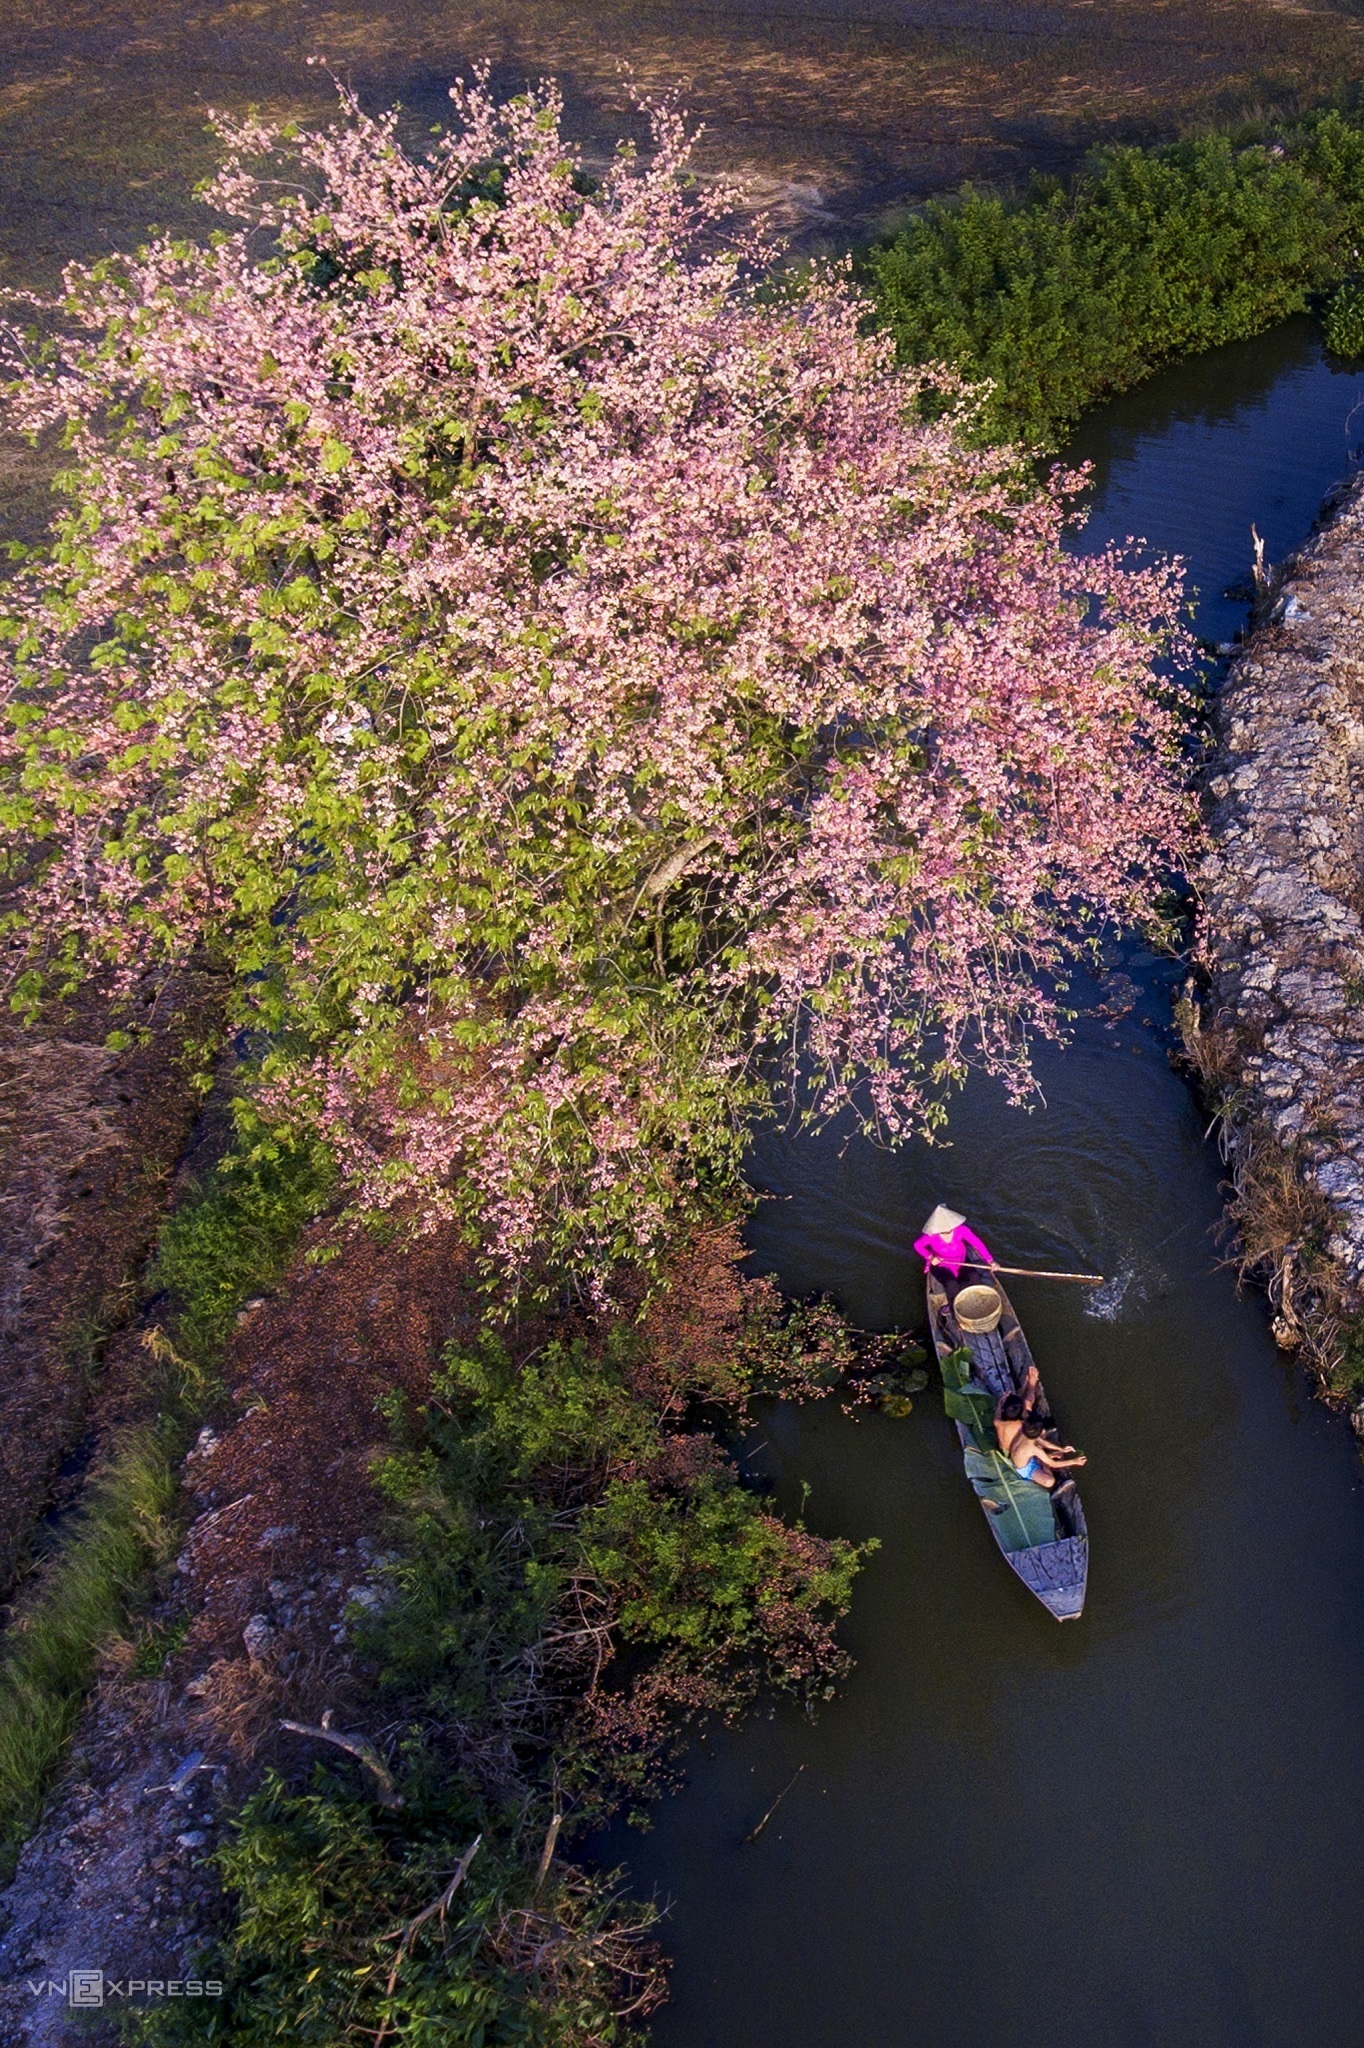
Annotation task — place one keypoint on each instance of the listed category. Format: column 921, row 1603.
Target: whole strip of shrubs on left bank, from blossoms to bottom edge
column 574, row 1574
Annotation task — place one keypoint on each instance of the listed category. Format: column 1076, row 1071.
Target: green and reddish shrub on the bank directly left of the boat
column 548, row 1484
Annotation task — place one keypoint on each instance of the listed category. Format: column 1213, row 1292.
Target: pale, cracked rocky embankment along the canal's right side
column 1281, row 1029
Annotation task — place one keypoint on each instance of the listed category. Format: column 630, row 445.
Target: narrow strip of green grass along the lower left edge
column 224, row 1244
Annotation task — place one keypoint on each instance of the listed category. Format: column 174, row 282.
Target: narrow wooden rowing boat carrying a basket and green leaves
column 1043, row 1537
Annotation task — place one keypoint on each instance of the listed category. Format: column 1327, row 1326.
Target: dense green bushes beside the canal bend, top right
column 1070, row 294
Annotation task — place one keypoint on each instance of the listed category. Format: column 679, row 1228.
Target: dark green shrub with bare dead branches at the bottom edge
column 335, row 1940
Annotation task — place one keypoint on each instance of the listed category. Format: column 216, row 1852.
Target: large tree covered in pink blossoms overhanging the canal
column 562, row 679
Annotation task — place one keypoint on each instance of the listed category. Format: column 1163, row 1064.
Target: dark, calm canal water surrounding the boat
column 1144, row 1830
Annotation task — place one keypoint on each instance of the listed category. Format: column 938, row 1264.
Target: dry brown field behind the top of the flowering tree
column 833, row 110
